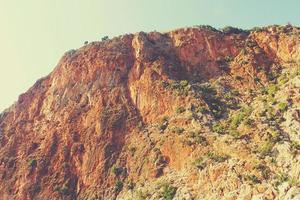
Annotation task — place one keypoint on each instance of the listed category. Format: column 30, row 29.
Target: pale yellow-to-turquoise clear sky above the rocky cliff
column 34, row 34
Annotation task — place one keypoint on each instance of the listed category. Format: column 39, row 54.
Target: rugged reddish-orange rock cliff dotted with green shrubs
column 194, row 113
